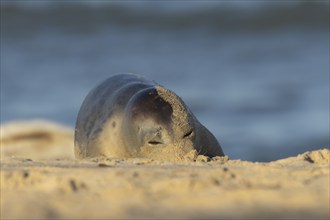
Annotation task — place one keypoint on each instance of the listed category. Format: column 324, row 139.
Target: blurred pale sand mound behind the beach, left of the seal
column 36, row 139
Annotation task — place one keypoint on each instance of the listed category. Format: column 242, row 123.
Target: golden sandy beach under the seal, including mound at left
column 40, row 179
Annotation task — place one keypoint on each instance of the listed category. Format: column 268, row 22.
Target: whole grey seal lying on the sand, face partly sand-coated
column 130, row 116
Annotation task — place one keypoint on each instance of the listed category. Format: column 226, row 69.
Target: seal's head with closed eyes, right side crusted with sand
column 158, row 124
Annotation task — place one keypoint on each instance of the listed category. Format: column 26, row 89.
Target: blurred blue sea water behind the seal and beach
column 255, row 74
